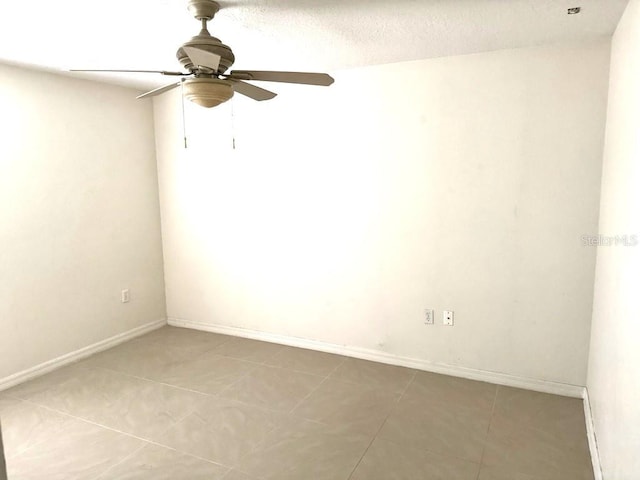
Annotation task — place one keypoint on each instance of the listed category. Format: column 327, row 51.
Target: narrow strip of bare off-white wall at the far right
column 614, row 361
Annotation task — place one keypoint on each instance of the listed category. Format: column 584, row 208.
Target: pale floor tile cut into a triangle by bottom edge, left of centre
column 153, row 462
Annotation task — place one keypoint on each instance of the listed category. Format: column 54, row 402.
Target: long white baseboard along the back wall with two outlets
column 556, row 388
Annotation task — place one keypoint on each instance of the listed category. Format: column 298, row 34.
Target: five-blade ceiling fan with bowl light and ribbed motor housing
column 207, row 59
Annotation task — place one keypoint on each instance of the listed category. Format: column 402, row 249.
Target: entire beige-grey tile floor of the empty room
column 182, row 404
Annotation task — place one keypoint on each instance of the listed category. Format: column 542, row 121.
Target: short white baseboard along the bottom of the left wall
column 71, row 357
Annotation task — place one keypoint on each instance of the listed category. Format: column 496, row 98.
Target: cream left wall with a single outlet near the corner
column 79, row 216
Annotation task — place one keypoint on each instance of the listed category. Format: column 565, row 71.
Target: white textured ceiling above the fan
column 315, row 35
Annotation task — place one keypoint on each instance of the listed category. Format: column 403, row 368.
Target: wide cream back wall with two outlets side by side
column 462, row 183
